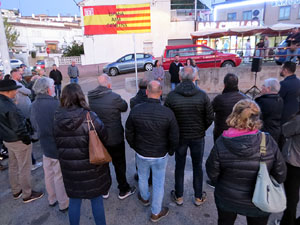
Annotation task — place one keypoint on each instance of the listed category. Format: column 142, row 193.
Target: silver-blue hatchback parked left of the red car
column 127, row 64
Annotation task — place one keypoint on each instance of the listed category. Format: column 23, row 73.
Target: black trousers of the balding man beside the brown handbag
column 117, row 153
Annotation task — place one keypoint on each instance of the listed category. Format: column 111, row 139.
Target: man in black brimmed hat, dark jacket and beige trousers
column 17, row 139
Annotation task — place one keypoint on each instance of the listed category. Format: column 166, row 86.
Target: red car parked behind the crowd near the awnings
column 204, row 56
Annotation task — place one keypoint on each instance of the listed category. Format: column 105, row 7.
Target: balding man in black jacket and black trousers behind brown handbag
column 108, row 106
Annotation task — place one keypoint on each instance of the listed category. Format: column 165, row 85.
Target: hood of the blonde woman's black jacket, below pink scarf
column 244, row 146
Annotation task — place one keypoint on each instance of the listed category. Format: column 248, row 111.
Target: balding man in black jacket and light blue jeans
column 152, row 131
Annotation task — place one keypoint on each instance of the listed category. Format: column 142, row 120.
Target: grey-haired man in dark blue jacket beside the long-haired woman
column 42, row 118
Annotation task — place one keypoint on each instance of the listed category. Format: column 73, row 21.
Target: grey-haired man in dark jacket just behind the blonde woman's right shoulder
column 271, row 105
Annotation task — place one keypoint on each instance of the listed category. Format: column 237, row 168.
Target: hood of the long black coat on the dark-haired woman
column 69, row 119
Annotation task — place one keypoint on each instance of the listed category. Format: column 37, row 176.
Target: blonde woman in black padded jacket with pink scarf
column 234, row 161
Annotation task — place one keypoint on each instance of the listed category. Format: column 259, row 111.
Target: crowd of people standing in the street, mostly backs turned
column 155, row 131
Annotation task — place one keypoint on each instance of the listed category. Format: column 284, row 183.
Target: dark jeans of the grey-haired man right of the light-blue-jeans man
column 197, row 148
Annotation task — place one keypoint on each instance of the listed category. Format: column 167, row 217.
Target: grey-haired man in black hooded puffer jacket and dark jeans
column 194, row 115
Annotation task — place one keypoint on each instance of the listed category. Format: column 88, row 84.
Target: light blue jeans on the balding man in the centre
column 158, row 167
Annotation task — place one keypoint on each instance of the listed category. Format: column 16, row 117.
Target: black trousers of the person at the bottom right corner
column 292, row 186
